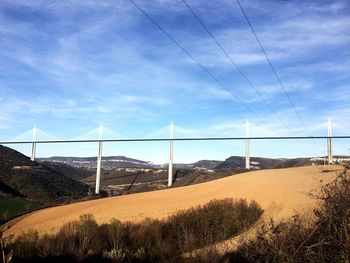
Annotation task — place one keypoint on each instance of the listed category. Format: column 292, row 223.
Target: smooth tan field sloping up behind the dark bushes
column 280, row 192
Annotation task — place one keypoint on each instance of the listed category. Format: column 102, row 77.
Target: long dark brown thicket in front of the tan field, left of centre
column 150, row 240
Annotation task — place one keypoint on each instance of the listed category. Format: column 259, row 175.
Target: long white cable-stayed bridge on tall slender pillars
column 103, row 134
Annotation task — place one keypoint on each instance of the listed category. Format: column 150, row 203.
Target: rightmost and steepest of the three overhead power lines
column 273, row 68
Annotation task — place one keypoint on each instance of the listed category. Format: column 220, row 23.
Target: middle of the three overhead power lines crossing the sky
column 235, row 64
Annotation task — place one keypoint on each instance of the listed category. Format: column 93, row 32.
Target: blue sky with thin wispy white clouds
column 68, row 65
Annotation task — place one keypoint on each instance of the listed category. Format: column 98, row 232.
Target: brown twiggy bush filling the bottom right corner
column 325, row 239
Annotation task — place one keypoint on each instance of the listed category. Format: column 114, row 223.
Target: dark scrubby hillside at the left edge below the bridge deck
column 36, row 182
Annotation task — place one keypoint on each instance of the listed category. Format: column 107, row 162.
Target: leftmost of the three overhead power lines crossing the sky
column 197, row 62
